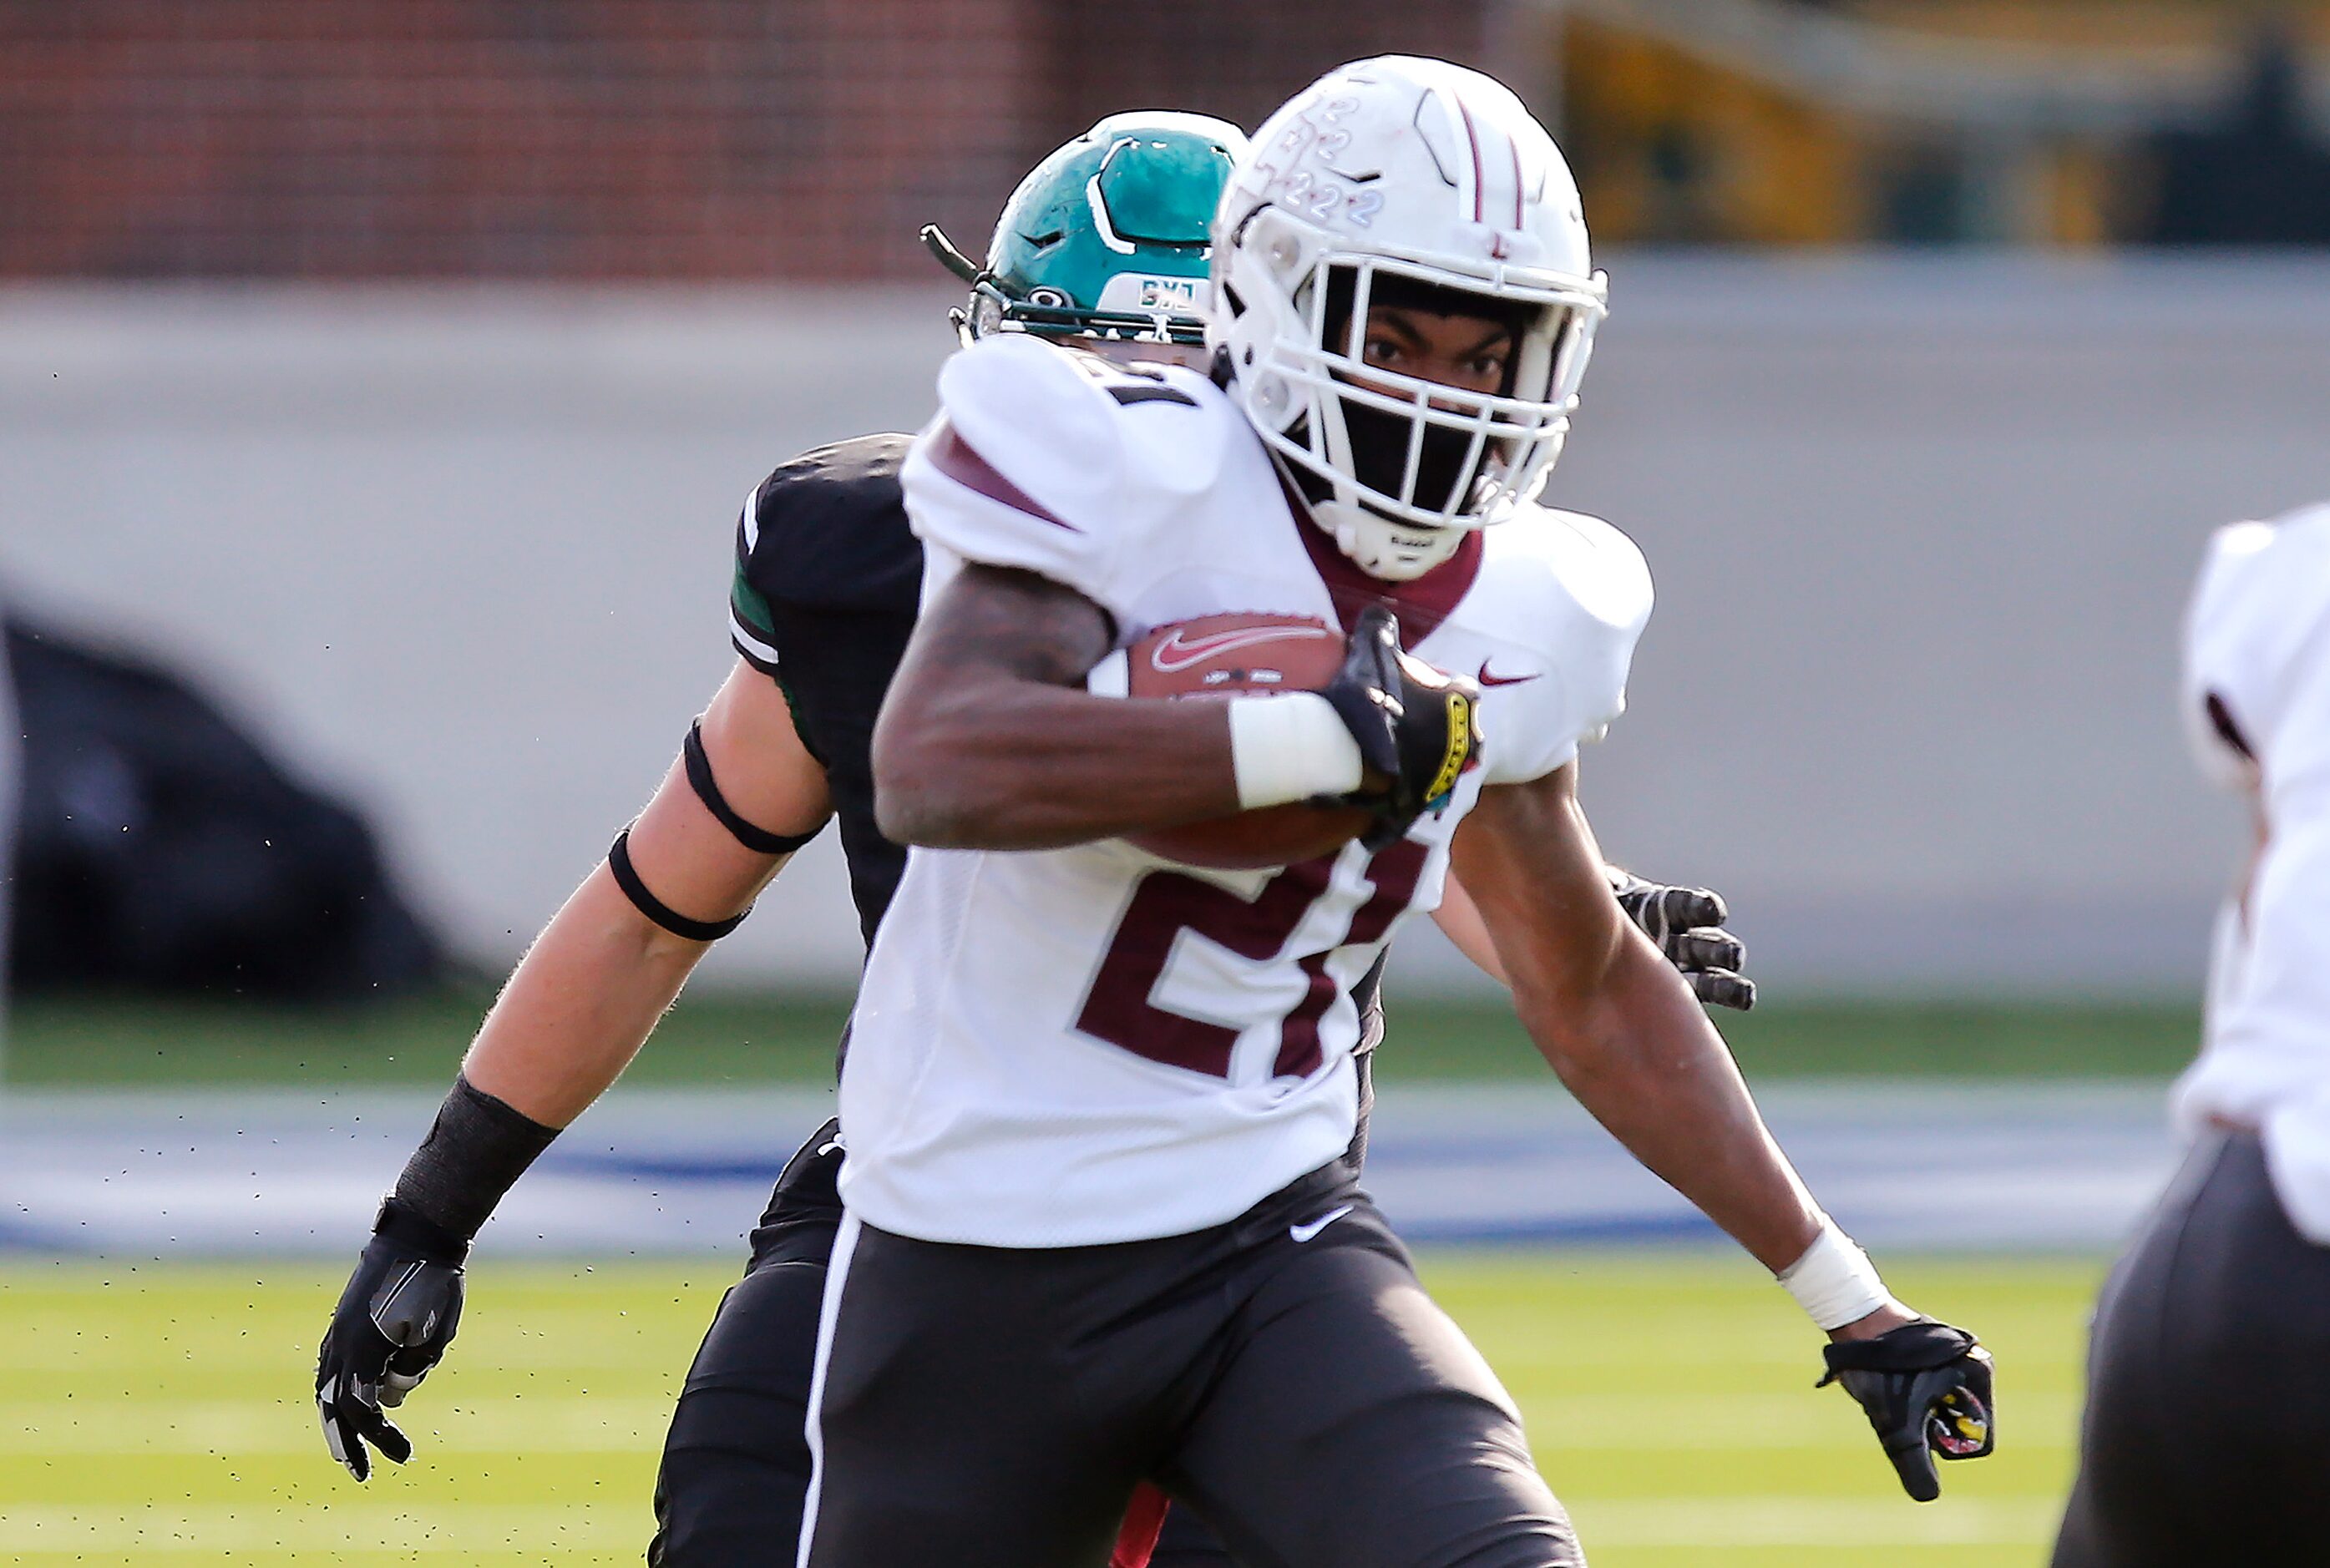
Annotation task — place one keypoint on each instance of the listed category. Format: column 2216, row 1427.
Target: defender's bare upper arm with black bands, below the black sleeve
column 700, row 866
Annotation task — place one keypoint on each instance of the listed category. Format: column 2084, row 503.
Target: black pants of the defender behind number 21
column 737, row 1460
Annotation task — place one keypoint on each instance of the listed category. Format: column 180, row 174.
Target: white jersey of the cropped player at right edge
column 2259, row 644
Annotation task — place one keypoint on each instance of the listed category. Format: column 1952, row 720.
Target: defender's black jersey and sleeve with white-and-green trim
column 828, row 584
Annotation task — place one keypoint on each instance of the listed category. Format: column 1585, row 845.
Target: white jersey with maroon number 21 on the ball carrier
column 1094, row 1045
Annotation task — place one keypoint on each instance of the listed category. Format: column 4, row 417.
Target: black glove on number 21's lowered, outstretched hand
column 1928, row 1394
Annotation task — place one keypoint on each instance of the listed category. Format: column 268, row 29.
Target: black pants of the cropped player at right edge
column 2208, row 1429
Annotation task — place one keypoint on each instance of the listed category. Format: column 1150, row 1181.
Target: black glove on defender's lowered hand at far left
column 393, row 1325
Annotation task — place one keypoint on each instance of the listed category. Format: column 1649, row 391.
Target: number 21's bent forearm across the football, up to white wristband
column 1017, row 765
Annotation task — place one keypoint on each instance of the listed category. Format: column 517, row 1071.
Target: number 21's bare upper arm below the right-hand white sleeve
column 1537, row 877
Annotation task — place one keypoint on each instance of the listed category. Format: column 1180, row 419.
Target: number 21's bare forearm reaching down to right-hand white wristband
column 1653, row 1071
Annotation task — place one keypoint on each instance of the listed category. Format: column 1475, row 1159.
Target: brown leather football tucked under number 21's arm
column 1231, row 656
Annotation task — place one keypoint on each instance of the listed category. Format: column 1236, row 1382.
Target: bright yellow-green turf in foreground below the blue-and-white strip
column 164, row 1415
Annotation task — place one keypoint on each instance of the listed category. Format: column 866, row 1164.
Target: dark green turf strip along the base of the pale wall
column 791, row 1040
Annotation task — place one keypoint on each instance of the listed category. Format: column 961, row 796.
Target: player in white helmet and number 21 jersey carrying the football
column 1099, row 1217
